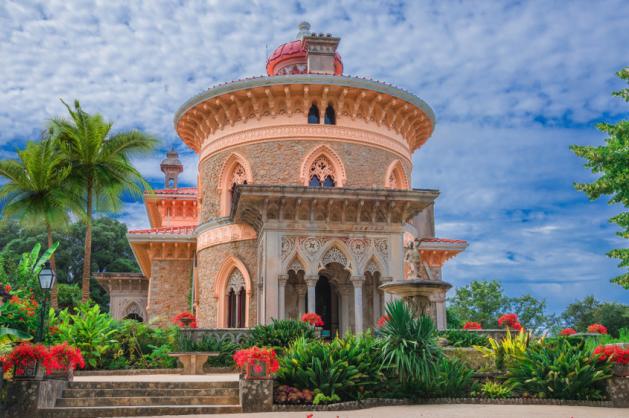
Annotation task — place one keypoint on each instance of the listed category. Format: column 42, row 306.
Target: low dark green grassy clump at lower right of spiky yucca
column 453, row 379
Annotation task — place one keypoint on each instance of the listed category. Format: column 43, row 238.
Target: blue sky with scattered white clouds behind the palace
column 513, row 84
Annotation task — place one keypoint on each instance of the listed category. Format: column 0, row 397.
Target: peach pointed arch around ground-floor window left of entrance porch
column 221, row 289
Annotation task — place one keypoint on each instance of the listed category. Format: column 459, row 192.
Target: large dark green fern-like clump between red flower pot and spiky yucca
column 349, row 367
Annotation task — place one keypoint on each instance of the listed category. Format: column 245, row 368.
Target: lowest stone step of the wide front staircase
column 137, row 411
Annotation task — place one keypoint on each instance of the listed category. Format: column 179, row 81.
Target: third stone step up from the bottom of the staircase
column 103, row 393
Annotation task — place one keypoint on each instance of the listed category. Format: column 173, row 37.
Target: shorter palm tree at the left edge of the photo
column 36, row 191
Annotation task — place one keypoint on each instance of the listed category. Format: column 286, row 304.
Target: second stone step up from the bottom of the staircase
column 147, row 401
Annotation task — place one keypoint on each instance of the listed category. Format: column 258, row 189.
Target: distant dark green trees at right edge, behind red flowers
column 591, row 311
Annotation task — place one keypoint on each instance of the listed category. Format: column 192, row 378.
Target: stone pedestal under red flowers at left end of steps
column 26, row 397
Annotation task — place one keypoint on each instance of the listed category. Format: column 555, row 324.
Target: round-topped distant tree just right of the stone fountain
column 485, row 301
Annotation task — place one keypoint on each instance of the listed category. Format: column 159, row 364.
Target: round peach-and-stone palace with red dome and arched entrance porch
column 303, row 201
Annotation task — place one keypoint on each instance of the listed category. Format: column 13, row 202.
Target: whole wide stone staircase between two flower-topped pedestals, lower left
column 129, row 399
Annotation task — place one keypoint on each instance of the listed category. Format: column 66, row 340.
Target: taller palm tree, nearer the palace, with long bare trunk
column 101, row 167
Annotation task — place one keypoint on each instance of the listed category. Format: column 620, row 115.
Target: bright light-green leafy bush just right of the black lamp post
column 88, row 329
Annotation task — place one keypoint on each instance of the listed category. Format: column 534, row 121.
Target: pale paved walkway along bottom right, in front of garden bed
column 451, row 411
